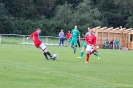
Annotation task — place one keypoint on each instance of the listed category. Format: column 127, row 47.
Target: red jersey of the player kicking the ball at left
column 36, row 40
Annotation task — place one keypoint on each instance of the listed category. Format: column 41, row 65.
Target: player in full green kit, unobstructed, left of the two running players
column 75, row 36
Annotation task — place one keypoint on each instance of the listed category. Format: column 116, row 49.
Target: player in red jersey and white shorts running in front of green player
column 90, row 40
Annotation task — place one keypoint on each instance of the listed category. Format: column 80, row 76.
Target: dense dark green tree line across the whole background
column 24, row 16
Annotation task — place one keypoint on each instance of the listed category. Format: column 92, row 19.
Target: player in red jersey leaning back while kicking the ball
column 38, row 43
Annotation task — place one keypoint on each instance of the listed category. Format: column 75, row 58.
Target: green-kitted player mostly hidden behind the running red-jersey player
column 95, row 52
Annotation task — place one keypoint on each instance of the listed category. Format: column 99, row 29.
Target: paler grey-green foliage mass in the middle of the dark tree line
column 83, row 16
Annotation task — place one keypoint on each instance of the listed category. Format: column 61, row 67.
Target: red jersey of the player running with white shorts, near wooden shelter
column 90, row 39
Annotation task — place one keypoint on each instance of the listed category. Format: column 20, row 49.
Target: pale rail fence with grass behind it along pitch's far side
column 22, row 39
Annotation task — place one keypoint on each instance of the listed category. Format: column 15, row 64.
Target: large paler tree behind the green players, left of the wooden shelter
column 86, row 16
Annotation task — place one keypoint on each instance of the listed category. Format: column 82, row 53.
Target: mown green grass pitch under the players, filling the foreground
column 24, row 66
